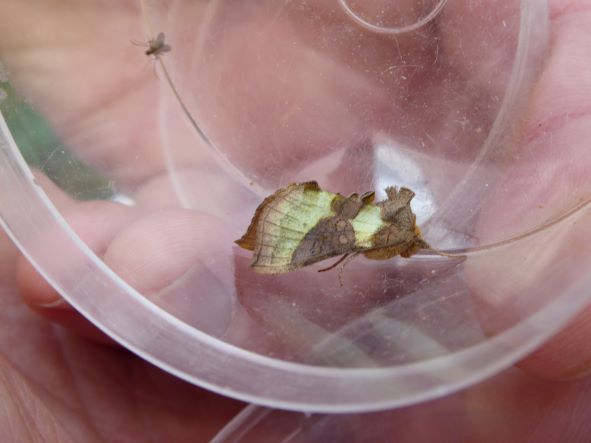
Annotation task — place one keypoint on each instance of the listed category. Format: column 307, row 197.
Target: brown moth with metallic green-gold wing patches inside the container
column 302, row 224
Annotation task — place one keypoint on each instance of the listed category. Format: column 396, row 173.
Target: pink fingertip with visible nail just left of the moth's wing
column 180, row 260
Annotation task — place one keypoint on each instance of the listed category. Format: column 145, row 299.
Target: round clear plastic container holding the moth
column 256, row 95
